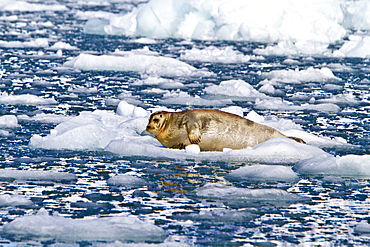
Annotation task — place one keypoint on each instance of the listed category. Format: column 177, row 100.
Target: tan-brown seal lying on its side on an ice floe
column 212, row 130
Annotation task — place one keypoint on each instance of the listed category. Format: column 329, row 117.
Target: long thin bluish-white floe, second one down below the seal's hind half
column 226, row 192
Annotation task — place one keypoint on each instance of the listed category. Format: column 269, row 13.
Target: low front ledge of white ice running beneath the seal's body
column 274, row 151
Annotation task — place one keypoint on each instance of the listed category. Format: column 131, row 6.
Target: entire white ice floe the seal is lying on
column 123, row 133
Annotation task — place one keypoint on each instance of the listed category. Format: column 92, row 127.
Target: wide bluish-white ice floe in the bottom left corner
column 45, row 226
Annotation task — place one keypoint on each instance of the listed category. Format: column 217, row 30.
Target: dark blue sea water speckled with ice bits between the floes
column 335, row 207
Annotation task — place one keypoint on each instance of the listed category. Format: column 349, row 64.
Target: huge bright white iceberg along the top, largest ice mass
column 234, row 20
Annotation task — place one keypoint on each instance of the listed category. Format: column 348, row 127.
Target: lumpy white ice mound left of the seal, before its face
column 95, row 130
